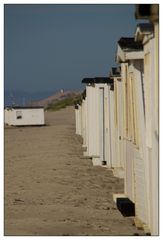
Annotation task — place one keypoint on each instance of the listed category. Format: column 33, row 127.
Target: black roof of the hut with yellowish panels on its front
column 129, row 44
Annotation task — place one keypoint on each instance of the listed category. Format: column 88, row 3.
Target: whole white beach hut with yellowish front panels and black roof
column 130, row 55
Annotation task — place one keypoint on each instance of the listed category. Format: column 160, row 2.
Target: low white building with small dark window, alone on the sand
column 23, row 116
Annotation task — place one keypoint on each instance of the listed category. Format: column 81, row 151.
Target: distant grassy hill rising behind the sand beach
column 58, row 100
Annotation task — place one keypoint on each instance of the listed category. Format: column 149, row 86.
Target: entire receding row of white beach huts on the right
column 118, row 120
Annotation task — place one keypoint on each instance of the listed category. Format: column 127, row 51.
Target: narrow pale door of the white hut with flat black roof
column 101, row 128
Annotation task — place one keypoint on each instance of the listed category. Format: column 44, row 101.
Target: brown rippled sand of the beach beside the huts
column 50, row 189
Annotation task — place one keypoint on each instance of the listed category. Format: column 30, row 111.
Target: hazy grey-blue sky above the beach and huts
column 49, row 47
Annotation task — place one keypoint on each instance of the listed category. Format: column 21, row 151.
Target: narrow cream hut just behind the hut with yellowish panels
column 116, row 121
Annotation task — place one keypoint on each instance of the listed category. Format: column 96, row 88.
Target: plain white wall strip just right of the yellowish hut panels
column 140, row 151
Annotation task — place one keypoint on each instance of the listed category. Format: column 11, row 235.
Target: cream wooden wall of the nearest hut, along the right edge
column 151, row 134
